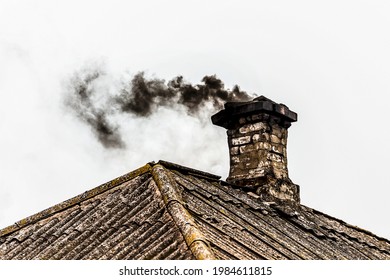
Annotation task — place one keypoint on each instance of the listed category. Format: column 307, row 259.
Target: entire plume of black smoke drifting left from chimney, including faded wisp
column 140, row 97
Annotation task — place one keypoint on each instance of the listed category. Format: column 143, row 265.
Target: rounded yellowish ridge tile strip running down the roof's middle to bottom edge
column 194, row 238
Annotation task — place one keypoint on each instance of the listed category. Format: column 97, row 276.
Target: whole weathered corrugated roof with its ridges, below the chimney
column 167, row 211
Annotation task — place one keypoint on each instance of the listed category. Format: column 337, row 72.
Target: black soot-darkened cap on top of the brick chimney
column 261, row 104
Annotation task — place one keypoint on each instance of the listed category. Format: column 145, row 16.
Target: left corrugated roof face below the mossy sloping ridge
column 129, row 221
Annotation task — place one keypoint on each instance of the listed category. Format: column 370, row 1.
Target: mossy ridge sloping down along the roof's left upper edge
column 75, row 200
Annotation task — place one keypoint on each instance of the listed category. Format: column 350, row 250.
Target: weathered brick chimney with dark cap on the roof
column 257, row 138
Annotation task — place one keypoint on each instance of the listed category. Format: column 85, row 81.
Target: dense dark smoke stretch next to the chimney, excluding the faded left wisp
column 141, row 96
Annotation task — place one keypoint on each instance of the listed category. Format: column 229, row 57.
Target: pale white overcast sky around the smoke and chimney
column 329, row 61
